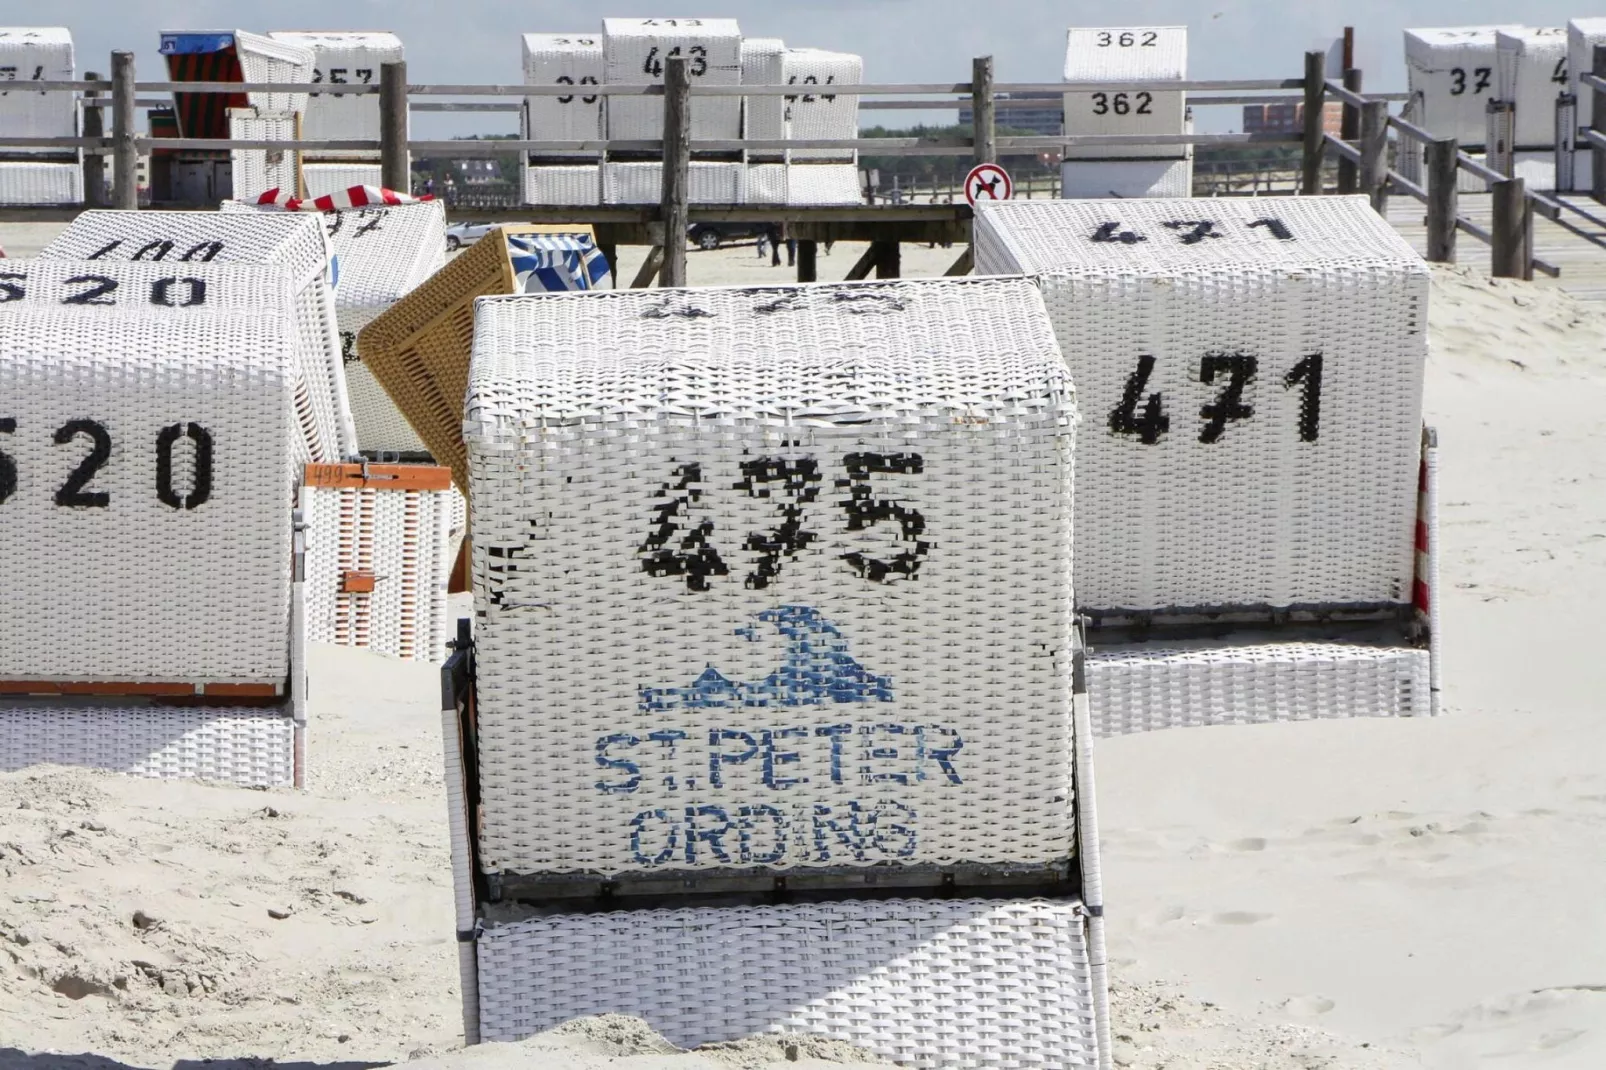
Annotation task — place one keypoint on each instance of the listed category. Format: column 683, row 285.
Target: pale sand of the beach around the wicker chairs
column 1286, row 897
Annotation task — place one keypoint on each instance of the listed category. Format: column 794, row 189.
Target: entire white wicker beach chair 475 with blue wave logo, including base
column 834, row 523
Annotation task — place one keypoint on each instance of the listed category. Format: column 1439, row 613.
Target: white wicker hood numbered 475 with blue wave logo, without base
column 849, row 512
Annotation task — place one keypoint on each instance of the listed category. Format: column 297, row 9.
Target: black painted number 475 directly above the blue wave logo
column 682, row 539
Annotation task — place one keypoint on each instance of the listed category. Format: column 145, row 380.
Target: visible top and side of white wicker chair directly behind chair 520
column 296, row 243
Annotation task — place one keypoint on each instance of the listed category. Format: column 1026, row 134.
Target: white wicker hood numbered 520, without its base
column 145, row 484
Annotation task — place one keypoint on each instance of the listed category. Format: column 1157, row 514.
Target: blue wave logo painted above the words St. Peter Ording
column 817, row 669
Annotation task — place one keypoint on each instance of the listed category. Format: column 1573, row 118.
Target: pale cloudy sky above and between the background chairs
column 902, row 41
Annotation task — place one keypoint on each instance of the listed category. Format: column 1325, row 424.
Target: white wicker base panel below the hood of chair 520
column 247, row 748
